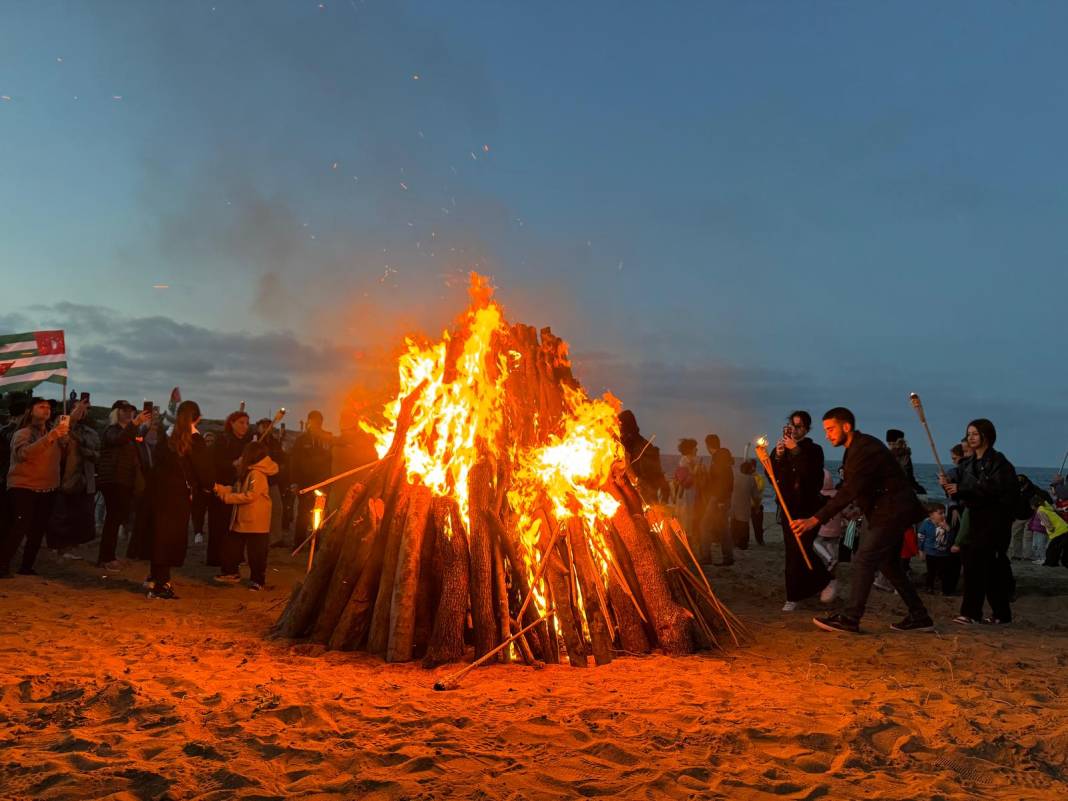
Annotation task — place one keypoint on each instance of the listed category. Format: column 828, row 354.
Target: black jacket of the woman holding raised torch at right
column 991, row 493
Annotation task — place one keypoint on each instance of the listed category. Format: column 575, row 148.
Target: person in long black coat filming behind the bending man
column 798, row 464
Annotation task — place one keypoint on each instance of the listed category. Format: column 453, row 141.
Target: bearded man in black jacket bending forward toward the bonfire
column 875, row 481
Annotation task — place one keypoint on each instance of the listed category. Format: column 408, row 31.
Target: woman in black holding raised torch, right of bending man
column 988, row 489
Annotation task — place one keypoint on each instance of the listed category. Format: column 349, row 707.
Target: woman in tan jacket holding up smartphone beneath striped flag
column 33, row 481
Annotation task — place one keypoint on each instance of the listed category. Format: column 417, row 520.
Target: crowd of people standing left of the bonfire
column 163, row 483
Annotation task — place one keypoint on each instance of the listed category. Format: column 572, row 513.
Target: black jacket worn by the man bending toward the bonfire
column 876, row 482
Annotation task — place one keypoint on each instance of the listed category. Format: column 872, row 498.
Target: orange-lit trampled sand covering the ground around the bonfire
column 106, row 695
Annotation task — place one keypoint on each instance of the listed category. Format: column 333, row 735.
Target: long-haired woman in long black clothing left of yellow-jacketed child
column 179, row 473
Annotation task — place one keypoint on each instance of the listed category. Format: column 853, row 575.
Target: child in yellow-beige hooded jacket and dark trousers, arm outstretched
column 250, row 524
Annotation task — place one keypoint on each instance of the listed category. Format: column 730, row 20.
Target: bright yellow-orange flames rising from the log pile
column 460, row 417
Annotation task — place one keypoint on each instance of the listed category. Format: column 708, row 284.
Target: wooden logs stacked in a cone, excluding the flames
column 406, row 576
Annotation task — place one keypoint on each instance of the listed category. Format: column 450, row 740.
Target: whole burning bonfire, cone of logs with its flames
column 502, row 511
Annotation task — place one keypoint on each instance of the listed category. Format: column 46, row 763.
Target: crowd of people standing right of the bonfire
column 874, row 514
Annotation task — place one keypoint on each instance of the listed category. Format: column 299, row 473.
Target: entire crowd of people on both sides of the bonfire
column 164, row 483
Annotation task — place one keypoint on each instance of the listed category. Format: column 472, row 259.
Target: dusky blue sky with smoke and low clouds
column 729, row 210
